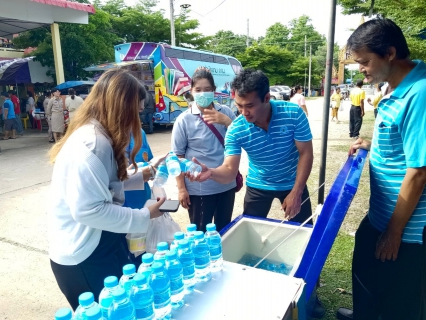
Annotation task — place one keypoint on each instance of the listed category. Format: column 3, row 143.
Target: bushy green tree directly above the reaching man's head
column 272, row 60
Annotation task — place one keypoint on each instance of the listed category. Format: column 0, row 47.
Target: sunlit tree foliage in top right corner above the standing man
column 413, row 27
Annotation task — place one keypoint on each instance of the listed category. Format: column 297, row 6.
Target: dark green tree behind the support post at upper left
column 82, row 45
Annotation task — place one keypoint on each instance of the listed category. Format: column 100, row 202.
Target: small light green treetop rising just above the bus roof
column 227, row 42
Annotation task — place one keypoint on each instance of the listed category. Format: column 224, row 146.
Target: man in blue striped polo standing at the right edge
column 389, row 263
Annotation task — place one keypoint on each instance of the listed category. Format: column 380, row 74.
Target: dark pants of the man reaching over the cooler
column 258, row 203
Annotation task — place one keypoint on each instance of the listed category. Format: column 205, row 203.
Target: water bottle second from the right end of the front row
column 201, row 258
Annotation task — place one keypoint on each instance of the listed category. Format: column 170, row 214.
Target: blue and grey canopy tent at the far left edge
column 23, row 71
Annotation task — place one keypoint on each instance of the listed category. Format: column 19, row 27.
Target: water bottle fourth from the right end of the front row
column 175, row 273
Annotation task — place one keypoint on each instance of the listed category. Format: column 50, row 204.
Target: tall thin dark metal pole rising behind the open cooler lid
column 327, row 89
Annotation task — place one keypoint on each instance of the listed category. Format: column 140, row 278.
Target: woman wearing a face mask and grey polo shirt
column 192, row 137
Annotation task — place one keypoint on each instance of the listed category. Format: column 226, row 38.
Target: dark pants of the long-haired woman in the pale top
column 108, row 259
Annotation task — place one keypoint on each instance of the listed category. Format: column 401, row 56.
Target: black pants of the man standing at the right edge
column 392, row 290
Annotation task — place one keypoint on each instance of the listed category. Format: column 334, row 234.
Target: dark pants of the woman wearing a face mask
column 204, row 208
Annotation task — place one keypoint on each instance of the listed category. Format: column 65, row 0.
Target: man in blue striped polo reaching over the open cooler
column 278, row 141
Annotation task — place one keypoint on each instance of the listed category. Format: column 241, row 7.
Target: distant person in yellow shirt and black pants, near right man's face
column 357, row 110
